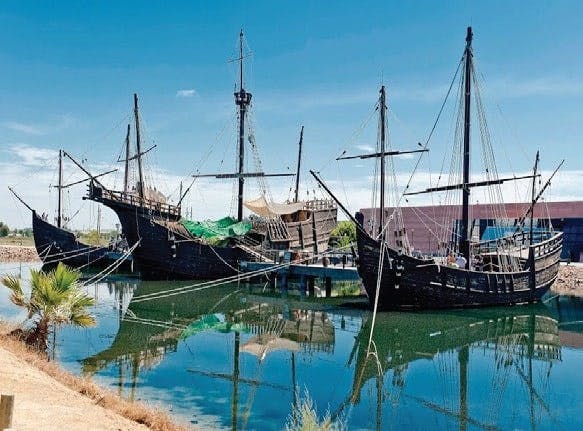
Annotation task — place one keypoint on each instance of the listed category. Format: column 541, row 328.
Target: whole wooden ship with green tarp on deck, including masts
column 170, row 247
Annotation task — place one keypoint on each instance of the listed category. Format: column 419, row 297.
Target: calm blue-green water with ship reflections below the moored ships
column 232, row 358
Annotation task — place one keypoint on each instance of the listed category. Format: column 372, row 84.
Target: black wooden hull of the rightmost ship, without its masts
column 408, row 282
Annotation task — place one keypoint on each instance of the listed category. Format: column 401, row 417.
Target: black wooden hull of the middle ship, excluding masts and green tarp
column 167, row 251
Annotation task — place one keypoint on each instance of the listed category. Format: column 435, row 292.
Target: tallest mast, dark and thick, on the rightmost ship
column 464, row 243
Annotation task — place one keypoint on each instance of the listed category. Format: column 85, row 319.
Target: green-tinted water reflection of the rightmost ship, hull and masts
column 514, row 336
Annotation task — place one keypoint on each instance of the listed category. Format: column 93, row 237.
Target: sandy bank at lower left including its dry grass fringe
column 49, row 398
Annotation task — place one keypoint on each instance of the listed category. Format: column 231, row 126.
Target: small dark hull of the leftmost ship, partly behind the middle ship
column 54, row 245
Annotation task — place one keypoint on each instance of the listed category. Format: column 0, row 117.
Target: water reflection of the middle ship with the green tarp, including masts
column 149, row 330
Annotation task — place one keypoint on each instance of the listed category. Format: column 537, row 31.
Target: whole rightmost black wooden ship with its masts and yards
column 513, row 269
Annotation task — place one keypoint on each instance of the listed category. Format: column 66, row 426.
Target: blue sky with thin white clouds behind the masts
column 68, row 71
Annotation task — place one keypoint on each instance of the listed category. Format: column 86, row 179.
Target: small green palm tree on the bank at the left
column 55, row 298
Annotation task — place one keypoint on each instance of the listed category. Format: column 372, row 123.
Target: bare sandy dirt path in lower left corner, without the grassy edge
column 42, row 403
